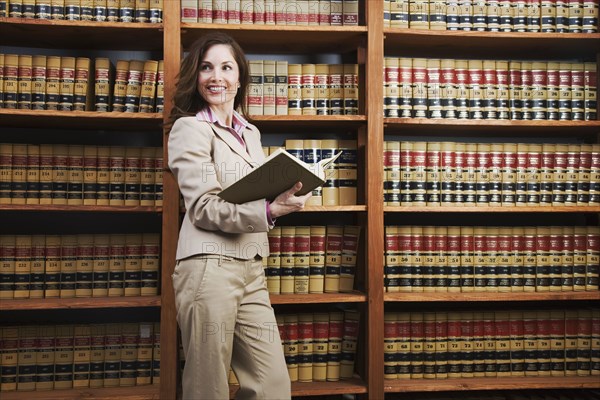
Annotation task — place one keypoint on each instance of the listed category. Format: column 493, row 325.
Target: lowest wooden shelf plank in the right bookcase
column 510, row 383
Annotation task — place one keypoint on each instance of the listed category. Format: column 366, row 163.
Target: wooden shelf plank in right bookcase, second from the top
column 454, row 127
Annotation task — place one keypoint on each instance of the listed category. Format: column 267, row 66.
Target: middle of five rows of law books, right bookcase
column 491, row 174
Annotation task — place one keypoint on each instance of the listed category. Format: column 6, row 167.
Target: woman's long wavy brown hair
column 187, row 100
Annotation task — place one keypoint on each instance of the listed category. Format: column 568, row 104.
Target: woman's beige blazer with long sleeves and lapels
column 206, row 159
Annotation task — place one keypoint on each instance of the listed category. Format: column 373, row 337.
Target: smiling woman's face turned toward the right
column 219, row 76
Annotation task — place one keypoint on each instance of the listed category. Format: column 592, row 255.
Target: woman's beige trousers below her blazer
column 226, row 319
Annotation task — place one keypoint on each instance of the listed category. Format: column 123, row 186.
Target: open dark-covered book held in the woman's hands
column 278, row 173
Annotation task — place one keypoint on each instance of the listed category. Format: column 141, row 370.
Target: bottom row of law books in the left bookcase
column 54, row 357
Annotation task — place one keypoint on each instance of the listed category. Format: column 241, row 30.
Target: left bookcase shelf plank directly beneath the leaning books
column 82, row 120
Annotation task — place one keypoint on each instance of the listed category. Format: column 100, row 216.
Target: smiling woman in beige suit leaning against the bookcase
column 223, row 306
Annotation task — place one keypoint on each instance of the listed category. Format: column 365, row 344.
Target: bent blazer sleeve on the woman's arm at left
column 189, row 151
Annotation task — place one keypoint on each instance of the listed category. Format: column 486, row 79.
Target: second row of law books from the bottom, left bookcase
column 78, row 266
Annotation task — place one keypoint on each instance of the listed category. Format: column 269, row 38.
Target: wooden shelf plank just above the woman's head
column 283, row 39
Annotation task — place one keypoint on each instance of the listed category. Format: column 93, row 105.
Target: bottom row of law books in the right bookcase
column 494, row 343
